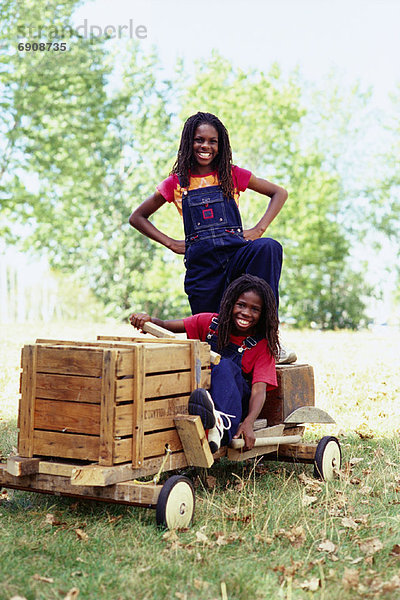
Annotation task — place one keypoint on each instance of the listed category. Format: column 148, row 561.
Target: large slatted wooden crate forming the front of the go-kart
column 107, row 402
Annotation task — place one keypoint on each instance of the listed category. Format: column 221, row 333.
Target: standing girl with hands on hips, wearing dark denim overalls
column 205, row 187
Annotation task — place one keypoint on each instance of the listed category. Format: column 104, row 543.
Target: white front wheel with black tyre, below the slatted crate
column 175, row 505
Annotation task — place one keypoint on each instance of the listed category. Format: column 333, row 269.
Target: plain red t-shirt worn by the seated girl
column 258, row 361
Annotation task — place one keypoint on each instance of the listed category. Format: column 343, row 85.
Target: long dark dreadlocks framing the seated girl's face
column 267, row 325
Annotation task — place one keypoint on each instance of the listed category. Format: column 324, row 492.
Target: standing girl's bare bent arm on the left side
column 140, row 220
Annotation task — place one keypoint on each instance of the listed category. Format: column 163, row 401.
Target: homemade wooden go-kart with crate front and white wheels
column 94, row 417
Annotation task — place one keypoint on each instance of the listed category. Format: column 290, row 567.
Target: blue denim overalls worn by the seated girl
column 230, row 389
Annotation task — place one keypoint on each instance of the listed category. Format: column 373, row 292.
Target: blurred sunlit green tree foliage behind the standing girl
column 96, row 149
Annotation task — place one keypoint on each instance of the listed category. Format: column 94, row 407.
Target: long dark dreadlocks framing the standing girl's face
column 223, row 162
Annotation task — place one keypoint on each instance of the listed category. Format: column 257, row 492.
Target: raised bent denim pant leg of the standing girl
column 262, row 257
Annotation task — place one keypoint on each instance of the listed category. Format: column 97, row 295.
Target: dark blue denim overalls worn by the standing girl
column 216, row 251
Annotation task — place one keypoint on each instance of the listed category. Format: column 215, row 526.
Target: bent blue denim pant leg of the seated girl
column 230, row 393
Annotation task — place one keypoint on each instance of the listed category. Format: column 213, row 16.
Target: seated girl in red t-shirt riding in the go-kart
column 245, row 333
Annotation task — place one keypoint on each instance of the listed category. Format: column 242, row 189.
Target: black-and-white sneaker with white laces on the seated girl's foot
column 201, row 403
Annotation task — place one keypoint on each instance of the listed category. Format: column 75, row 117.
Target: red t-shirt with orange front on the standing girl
column 172, row 191
